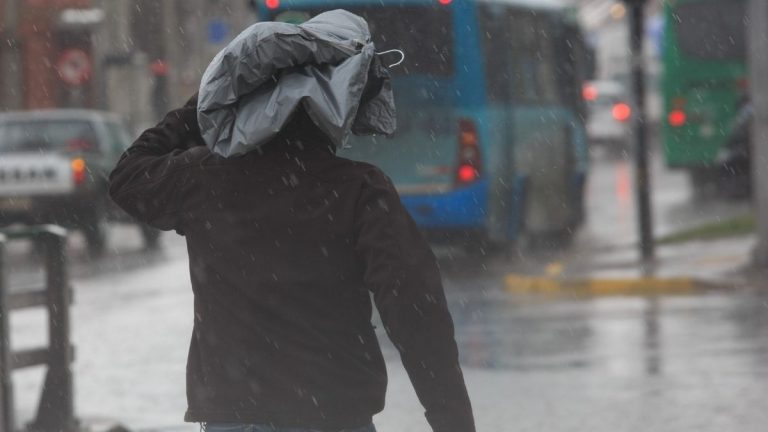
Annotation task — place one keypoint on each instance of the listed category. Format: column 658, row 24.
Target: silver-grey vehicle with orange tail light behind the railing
column 54, row 168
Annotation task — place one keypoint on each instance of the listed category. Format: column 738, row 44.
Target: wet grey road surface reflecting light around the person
column 557, row 363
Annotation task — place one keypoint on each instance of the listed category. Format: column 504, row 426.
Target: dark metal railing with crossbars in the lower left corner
column 56, row 409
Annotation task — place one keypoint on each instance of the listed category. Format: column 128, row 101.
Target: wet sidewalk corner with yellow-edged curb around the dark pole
column 680, row 268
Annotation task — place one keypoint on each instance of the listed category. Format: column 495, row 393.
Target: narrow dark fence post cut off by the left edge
column 7, row 420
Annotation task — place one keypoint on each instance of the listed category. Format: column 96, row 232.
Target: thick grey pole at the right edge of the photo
column 758, row 71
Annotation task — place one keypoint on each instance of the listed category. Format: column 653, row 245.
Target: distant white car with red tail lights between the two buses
column 609, row 113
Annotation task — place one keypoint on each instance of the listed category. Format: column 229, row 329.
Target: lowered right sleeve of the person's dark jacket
column 402, row 273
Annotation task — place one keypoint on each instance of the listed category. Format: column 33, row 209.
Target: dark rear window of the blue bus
column 423, row 33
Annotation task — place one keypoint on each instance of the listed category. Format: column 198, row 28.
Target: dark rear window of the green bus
column 711, row 30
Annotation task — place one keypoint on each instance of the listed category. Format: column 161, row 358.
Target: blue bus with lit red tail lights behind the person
column 491, row 140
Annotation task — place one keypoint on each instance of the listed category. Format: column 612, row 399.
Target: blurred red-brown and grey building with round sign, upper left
column 135, row 57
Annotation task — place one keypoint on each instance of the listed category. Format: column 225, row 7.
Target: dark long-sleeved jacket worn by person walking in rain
column 285, row 246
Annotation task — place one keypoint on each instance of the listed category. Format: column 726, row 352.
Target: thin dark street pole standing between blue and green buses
column 642, row 177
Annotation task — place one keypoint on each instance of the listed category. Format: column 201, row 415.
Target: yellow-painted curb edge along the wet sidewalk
column 520, row 284
